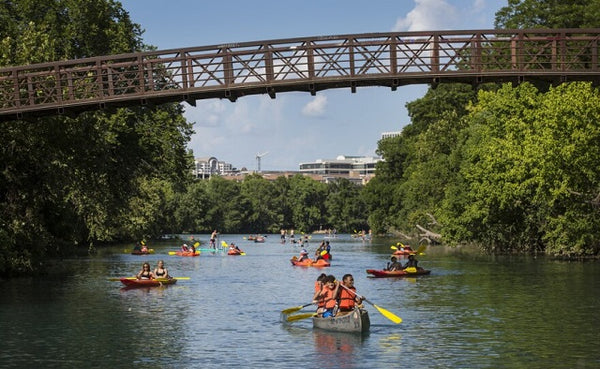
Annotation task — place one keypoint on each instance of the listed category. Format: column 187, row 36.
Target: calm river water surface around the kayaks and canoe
column 473, row 311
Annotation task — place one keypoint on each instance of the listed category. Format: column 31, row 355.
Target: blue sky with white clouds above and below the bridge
column 297, row 127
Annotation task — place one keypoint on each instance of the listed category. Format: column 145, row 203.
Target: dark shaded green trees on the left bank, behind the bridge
column 102, row 176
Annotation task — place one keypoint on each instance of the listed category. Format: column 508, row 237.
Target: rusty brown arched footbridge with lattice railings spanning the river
column 310, row 64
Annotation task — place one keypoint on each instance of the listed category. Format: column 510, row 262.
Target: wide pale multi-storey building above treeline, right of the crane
column 347, row 166
